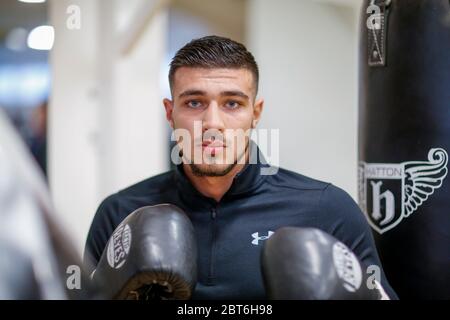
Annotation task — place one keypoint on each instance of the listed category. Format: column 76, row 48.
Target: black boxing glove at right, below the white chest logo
column 309, row 264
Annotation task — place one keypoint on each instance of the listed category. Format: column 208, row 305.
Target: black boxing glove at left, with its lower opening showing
column 151, row 255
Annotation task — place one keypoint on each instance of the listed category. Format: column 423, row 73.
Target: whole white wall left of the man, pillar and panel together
column 106, row 120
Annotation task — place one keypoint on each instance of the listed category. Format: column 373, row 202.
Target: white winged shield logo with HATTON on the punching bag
column 390, row 192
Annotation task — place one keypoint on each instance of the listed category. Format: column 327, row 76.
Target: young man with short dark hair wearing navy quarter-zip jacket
column 232, row 205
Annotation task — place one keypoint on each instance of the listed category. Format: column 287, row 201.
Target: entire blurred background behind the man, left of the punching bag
column 105, row 75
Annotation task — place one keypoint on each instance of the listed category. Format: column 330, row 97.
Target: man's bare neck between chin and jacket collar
column 213, row 187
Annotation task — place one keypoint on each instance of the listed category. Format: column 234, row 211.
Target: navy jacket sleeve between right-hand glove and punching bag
column 349, row 225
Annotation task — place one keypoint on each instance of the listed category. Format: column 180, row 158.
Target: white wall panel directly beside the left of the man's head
column 134, row 125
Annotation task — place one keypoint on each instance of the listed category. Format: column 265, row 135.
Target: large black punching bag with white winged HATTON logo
column 404, row 140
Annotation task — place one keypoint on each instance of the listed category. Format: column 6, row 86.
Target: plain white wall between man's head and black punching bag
column 307, row 54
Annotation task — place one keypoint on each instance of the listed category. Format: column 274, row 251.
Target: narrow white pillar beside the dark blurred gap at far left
column 73, row 118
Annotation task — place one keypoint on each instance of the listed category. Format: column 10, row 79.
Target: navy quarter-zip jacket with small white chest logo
column 230, row 233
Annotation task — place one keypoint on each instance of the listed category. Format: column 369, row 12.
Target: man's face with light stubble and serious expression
column 217, row 108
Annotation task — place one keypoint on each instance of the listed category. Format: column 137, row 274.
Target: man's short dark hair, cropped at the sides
column 214, row 52
